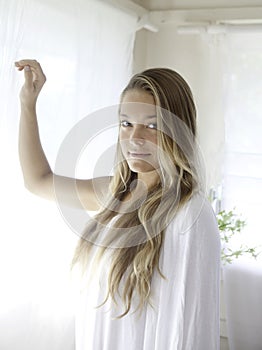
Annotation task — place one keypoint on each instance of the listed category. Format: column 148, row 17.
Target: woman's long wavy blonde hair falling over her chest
column 136, row 237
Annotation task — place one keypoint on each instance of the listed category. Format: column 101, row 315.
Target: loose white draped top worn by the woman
column 185, row 311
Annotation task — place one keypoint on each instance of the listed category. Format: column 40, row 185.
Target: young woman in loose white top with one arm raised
column 151, row 256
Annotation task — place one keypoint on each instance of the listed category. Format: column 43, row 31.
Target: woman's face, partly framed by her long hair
column 138, row 131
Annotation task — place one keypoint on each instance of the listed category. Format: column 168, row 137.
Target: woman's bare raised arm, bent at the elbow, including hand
column 38, row 175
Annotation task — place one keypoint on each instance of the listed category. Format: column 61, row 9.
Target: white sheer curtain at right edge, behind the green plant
column 242, row 186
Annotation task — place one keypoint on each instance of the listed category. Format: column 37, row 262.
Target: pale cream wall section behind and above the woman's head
column 199, row 60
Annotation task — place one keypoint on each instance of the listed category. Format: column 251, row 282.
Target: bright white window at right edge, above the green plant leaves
column 243, row 126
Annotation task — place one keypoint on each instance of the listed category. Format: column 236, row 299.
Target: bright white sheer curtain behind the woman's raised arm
column 85, row 48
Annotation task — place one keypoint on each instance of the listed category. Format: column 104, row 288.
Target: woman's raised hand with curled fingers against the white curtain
column 34, row 81
